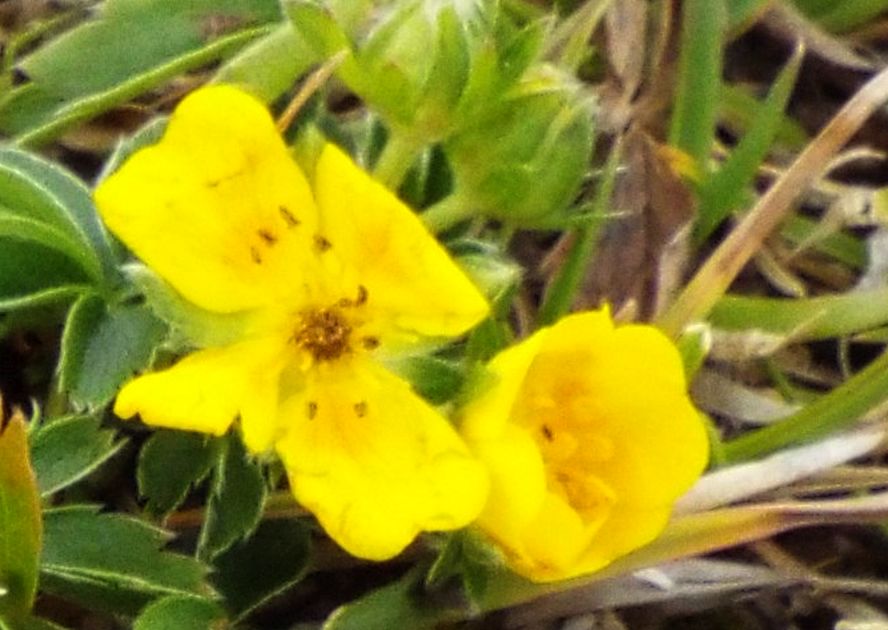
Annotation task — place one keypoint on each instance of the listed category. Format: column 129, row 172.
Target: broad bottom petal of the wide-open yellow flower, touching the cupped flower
column 375, row 463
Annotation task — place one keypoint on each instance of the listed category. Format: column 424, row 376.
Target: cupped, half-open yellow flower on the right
column 589, row 437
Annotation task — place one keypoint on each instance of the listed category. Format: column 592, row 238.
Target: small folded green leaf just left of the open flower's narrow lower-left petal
column 103, row 346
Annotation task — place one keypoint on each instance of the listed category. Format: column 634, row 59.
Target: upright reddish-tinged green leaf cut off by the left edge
column 20, row 525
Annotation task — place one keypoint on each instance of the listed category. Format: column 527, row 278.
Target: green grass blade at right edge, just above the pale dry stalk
column 841, row 407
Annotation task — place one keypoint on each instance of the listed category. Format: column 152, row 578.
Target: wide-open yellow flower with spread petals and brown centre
column 331, row 279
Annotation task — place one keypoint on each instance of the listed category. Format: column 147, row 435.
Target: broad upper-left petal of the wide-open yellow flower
column 217, row 208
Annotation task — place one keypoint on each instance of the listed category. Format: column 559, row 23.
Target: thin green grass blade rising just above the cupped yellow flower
column 563, row 289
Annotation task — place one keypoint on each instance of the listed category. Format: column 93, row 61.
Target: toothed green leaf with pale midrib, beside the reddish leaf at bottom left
column 112, row 561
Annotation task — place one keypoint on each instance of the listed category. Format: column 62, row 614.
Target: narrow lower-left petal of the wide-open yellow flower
column 206, row 390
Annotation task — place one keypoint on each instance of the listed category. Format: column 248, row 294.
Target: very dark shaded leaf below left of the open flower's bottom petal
column 264, row 565
